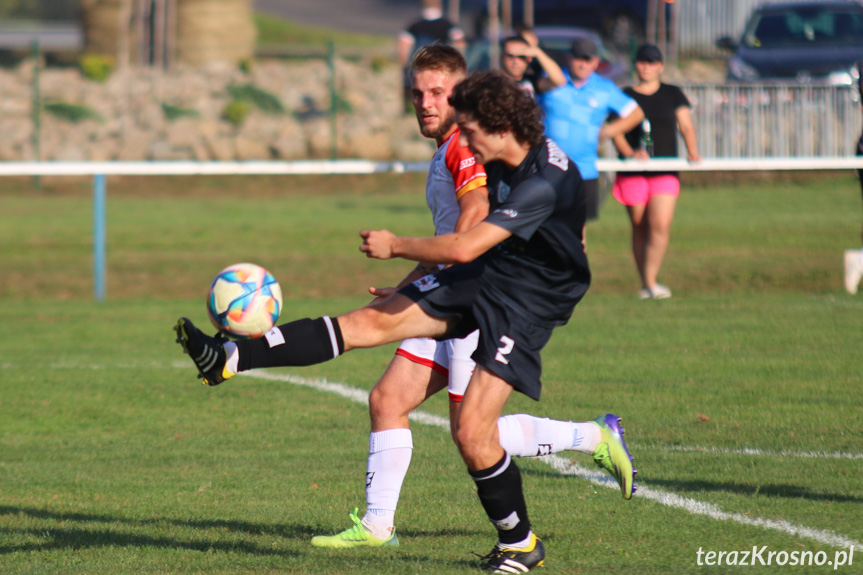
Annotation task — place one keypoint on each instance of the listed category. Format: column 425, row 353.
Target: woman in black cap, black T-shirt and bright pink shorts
column 650, row 197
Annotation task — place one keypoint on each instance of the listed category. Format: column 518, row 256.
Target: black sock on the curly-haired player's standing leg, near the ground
column 501, row 495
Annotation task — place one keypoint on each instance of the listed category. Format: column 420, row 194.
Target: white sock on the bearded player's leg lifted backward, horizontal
column 523, row 435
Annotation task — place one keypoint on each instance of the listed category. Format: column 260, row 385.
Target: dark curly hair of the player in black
column 499, row 105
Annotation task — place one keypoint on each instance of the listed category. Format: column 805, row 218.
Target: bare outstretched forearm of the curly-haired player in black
column 455, row 248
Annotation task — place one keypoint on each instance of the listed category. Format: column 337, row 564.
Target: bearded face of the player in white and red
column 430, row 91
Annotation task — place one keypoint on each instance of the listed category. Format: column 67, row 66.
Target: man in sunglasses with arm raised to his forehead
column 516, row 58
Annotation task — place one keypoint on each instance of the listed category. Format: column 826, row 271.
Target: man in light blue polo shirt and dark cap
column 576, row 114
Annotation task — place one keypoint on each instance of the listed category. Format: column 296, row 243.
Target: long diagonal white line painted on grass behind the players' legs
column 567, row 467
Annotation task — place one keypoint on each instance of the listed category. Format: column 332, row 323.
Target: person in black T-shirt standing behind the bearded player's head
column 431, row 28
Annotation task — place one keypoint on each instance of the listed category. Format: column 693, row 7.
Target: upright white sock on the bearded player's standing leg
column 389, row 458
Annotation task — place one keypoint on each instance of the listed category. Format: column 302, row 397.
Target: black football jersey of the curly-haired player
column 541, row 271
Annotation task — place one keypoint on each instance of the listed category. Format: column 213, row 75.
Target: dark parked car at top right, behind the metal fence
column 815, row 41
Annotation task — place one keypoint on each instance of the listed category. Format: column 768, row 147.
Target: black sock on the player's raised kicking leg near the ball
column 302, row 342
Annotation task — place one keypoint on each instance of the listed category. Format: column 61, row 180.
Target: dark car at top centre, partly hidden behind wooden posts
column 617, row 20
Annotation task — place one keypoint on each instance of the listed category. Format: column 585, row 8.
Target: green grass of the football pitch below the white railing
column 113, row 460
